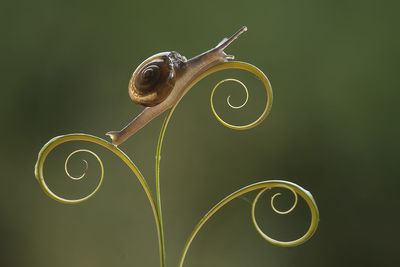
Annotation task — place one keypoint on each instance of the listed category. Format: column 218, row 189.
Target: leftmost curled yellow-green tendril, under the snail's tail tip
column 56, row 141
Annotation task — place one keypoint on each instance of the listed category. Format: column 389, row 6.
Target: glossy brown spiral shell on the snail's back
column 154, row 79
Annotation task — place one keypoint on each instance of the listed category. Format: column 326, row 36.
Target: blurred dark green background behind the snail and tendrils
column 333, row 129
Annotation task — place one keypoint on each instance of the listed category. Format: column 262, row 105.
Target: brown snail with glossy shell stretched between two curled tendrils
column 162, row 80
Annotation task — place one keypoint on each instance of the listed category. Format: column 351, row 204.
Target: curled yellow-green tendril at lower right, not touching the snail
column 263, row 186
